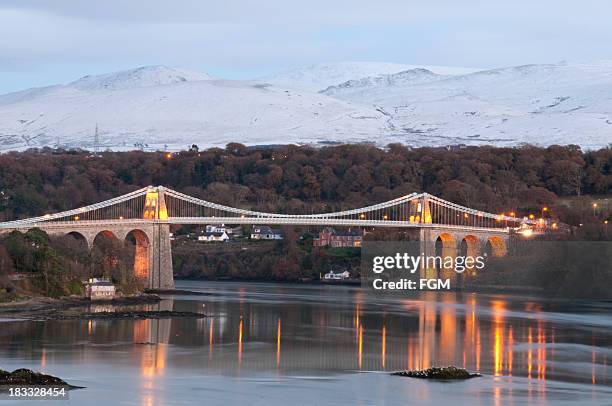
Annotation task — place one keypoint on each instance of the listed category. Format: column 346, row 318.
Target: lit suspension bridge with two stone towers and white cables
column 146, row 214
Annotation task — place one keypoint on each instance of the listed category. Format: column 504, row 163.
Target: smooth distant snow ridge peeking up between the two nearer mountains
column 315, row 78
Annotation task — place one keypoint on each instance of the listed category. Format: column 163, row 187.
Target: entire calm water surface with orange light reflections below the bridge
column 271, row 344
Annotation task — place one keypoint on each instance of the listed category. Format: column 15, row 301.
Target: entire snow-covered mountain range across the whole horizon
column 347, row 102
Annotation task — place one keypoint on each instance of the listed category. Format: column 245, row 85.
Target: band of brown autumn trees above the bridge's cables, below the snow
column 294, row 179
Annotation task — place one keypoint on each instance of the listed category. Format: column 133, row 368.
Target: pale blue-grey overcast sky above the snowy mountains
column 57, row 41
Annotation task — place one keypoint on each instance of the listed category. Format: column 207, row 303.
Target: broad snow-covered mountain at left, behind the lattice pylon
column 158, row 106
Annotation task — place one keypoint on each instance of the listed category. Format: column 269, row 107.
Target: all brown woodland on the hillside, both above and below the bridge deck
column 289, row 179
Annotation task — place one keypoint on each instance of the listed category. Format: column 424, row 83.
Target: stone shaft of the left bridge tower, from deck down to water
column 161, row 276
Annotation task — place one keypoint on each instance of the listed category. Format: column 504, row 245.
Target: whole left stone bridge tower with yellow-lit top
column 159, row 252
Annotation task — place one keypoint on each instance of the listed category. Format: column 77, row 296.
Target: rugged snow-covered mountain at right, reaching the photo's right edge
column 538, row 104
